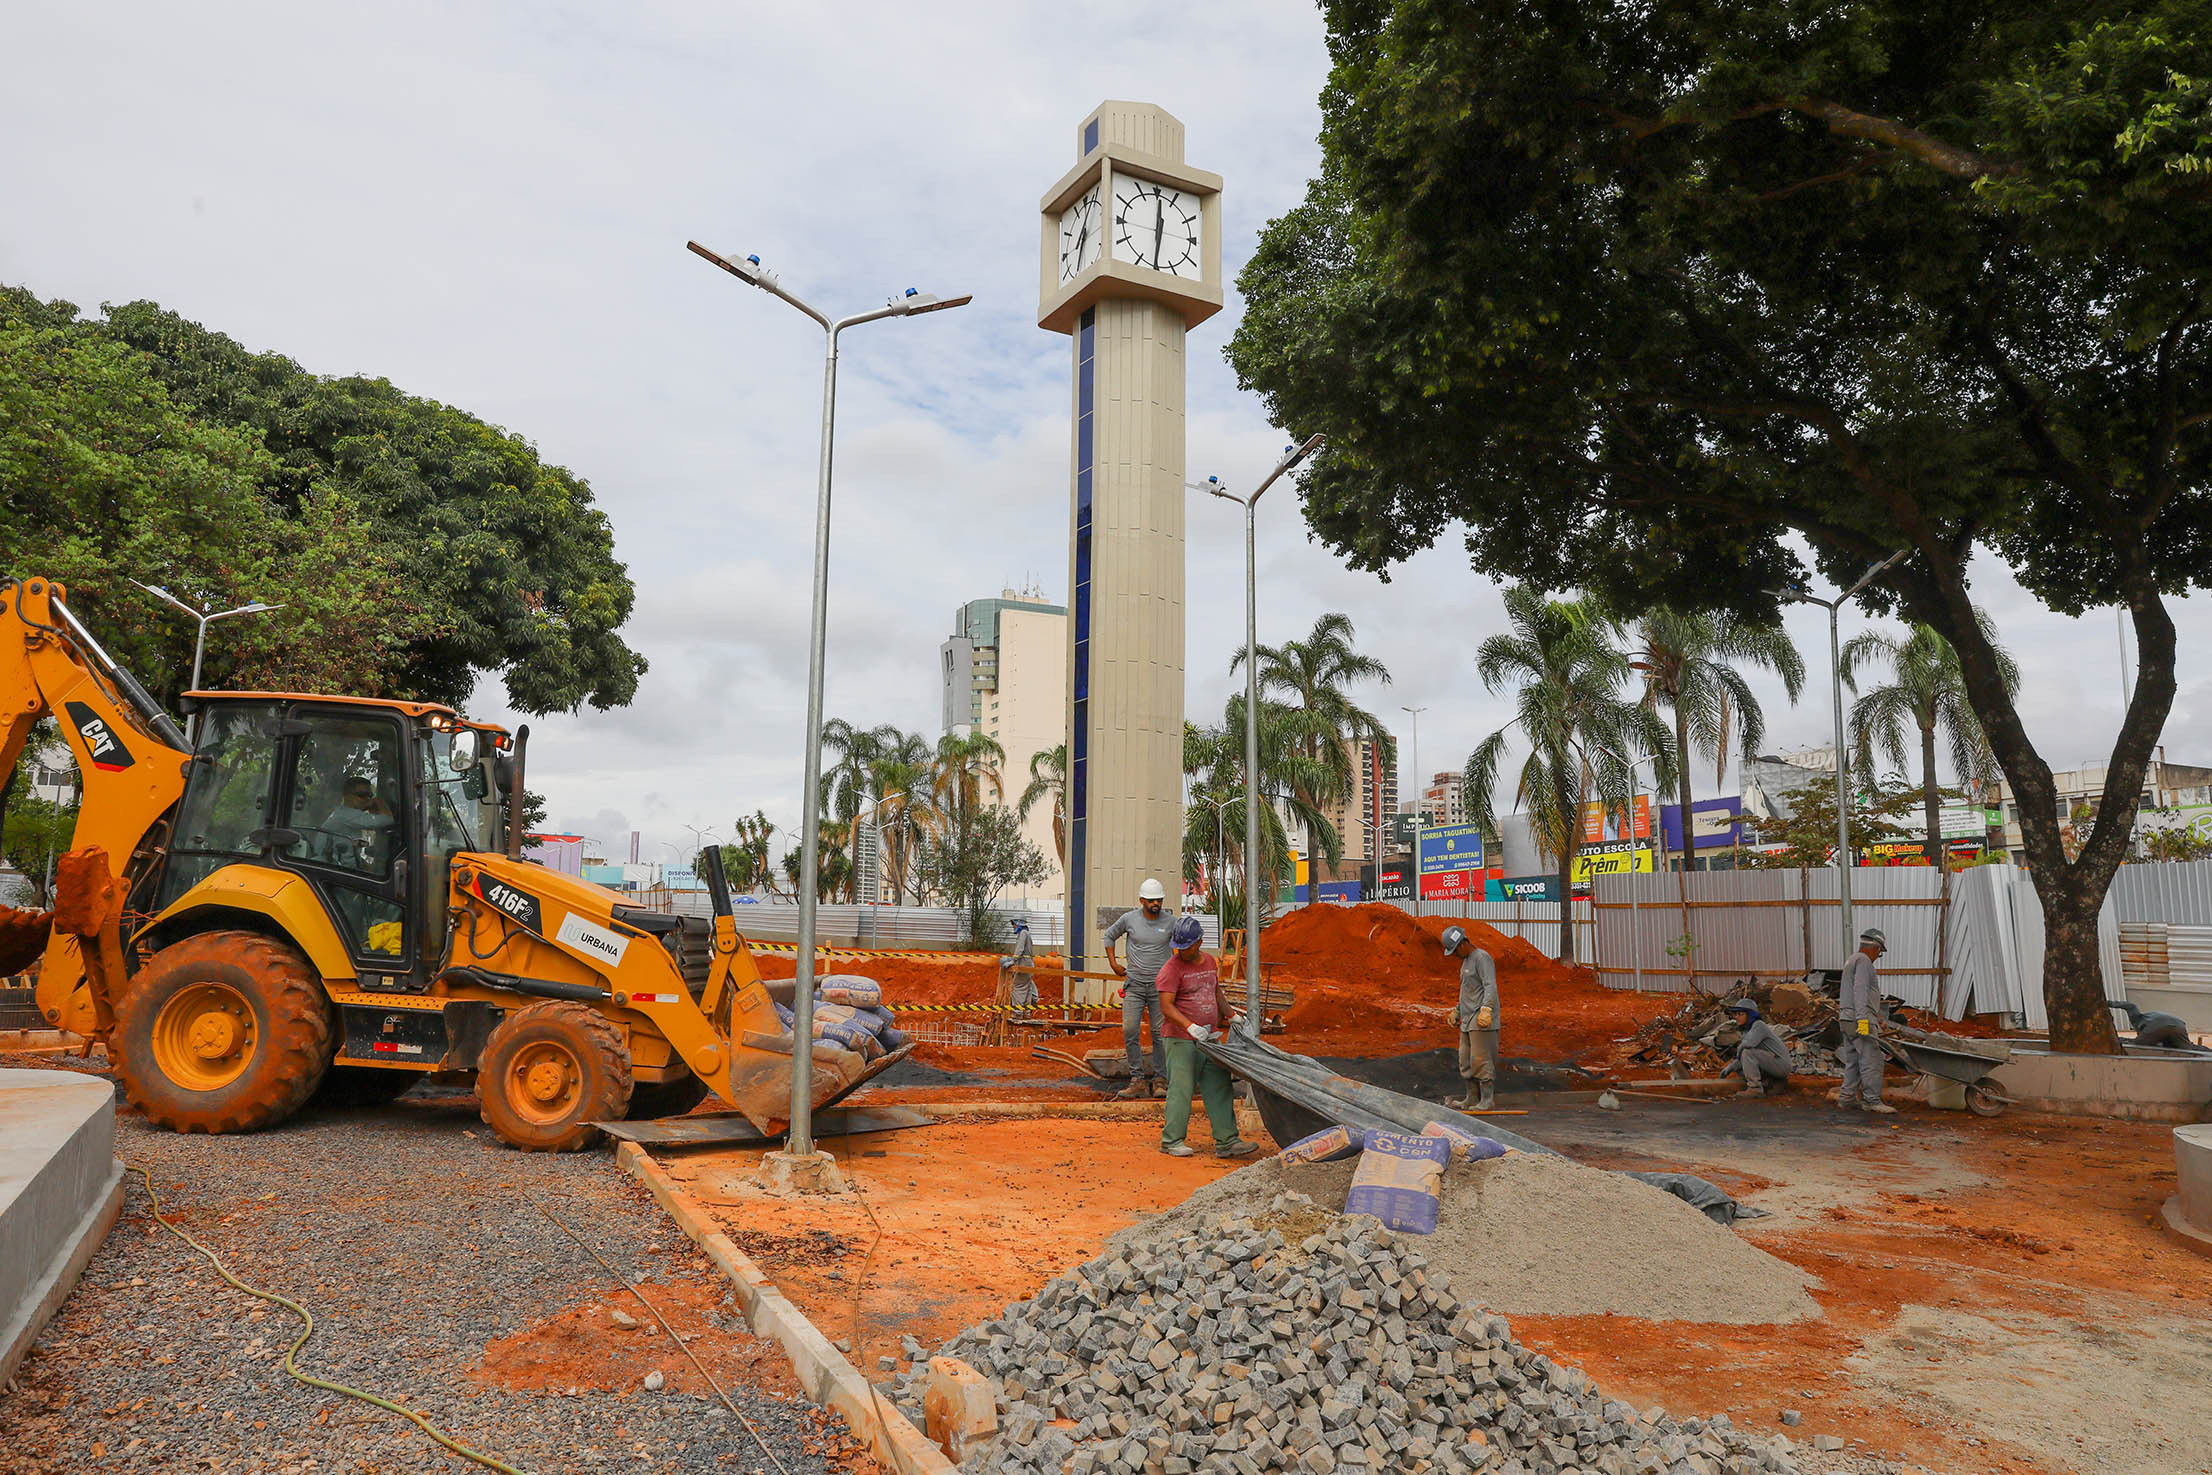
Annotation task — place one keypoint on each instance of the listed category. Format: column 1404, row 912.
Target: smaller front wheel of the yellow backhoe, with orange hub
column 550, row 1074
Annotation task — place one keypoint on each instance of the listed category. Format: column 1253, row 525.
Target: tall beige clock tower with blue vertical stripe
column 1131, row 258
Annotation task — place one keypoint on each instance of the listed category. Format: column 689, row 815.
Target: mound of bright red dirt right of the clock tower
column 1375, row 981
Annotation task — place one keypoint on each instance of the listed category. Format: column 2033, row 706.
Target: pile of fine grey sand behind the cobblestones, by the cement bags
column 1538, row 1235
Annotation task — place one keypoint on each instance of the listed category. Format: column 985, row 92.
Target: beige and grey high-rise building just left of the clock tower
column 1005, row 676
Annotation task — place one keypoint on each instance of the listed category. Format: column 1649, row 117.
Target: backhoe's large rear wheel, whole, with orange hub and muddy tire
column 227, row 1032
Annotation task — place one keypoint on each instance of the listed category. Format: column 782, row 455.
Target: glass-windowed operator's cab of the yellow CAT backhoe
column 362, row 802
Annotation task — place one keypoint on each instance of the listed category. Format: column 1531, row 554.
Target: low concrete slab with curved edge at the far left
column 61, row 1191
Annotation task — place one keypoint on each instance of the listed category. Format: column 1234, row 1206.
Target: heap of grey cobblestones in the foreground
column 1295, row 1341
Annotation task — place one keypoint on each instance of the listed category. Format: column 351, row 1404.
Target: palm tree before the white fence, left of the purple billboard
column 1565, row 673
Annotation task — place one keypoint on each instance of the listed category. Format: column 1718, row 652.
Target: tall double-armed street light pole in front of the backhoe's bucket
column 800, row 1140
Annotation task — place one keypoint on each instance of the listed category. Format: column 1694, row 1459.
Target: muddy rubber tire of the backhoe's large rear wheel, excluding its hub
column 291, row 1018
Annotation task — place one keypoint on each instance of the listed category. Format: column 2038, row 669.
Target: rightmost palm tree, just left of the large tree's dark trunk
column 1928, row 691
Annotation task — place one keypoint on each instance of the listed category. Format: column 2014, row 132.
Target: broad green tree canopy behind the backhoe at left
column 413, row 545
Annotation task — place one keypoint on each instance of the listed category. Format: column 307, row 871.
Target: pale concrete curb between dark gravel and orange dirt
column 824, row 1372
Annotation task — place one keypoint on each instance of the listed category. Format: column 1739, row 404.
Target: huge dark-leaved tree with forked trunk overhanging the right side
column 1656, row 300
